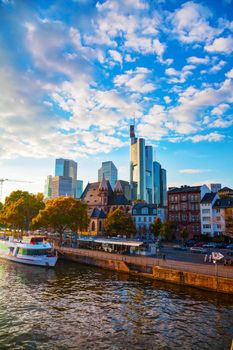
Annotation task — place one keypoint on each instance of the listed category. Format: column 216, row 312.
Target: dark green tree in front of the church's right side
column 119, row 223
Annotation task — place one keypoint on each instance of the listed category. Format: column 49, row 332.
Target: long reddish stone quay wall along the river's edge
column 213, row 277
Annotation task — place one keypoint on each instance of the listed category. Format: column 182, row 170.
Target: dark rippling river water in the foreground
column 81, row 307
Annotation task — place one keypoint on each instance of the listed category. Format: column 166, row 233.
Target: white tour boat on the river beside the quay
column 32, row 250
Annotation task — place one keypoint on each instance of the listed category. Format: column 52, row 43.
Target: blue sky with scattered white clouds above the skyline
column 75, row 73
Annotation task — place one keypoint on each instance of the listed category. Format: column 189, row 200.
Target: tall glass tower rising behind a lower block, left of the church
column 67, row 168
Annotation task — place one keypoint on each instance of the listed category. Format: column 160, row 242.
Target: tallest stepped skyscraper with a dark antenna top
column 147, row 180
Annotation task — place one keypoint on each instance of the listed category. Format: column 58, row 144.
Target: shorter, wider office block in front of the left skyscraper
column 62, row 186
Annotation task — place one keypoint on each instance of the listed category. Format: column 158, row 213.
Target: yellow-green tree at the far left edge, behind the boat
column 20, row 208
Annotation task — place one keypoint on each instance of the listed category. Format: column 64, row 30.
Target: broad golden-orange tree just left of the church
column 61, row 214
